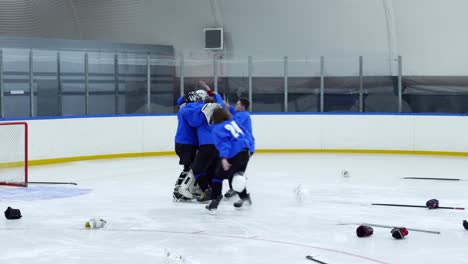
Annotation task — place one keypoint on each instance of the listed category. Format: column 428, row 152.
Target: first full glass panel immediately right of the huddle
column 268, row 85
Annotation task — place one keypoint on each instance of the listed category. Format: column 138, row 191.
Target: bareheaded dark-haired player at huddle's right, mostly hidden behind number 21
column 241, row 115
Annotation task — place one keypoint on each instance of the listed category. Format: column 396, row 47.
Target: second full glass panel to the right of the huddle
column 304, row 85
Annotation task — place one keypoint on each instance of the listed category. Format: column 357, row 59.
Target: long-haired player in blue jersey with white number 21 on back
column 233, row 143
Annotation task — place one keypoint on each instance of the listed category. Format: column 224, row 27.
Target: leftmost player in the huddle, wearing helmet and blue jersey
column 186, row 143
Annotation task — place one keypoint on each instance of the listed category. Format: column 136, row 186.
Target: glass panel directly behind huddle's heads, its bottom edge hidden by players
column 233, row 81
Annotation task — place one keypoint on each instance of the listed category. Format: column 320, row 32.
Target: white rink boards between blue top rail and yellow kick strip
column 58, row 138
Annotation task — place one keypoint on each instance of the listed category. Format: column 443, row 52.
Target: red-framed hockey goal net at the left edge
column 14, row 154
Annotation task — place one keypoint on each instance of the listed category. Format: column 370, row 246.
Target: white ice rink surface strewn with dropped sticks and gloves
column 145, row 226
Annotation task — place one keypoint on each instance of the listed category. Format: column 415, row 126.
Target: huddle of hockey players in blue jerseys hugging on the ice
column 214, row 142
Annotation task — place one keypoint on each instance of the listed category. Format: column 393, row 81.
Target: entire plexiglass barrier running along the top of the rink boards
column 64, row 83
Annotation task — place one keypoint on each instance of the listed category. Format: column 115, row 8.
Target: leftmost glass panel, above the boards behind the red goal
column 16, row 82
